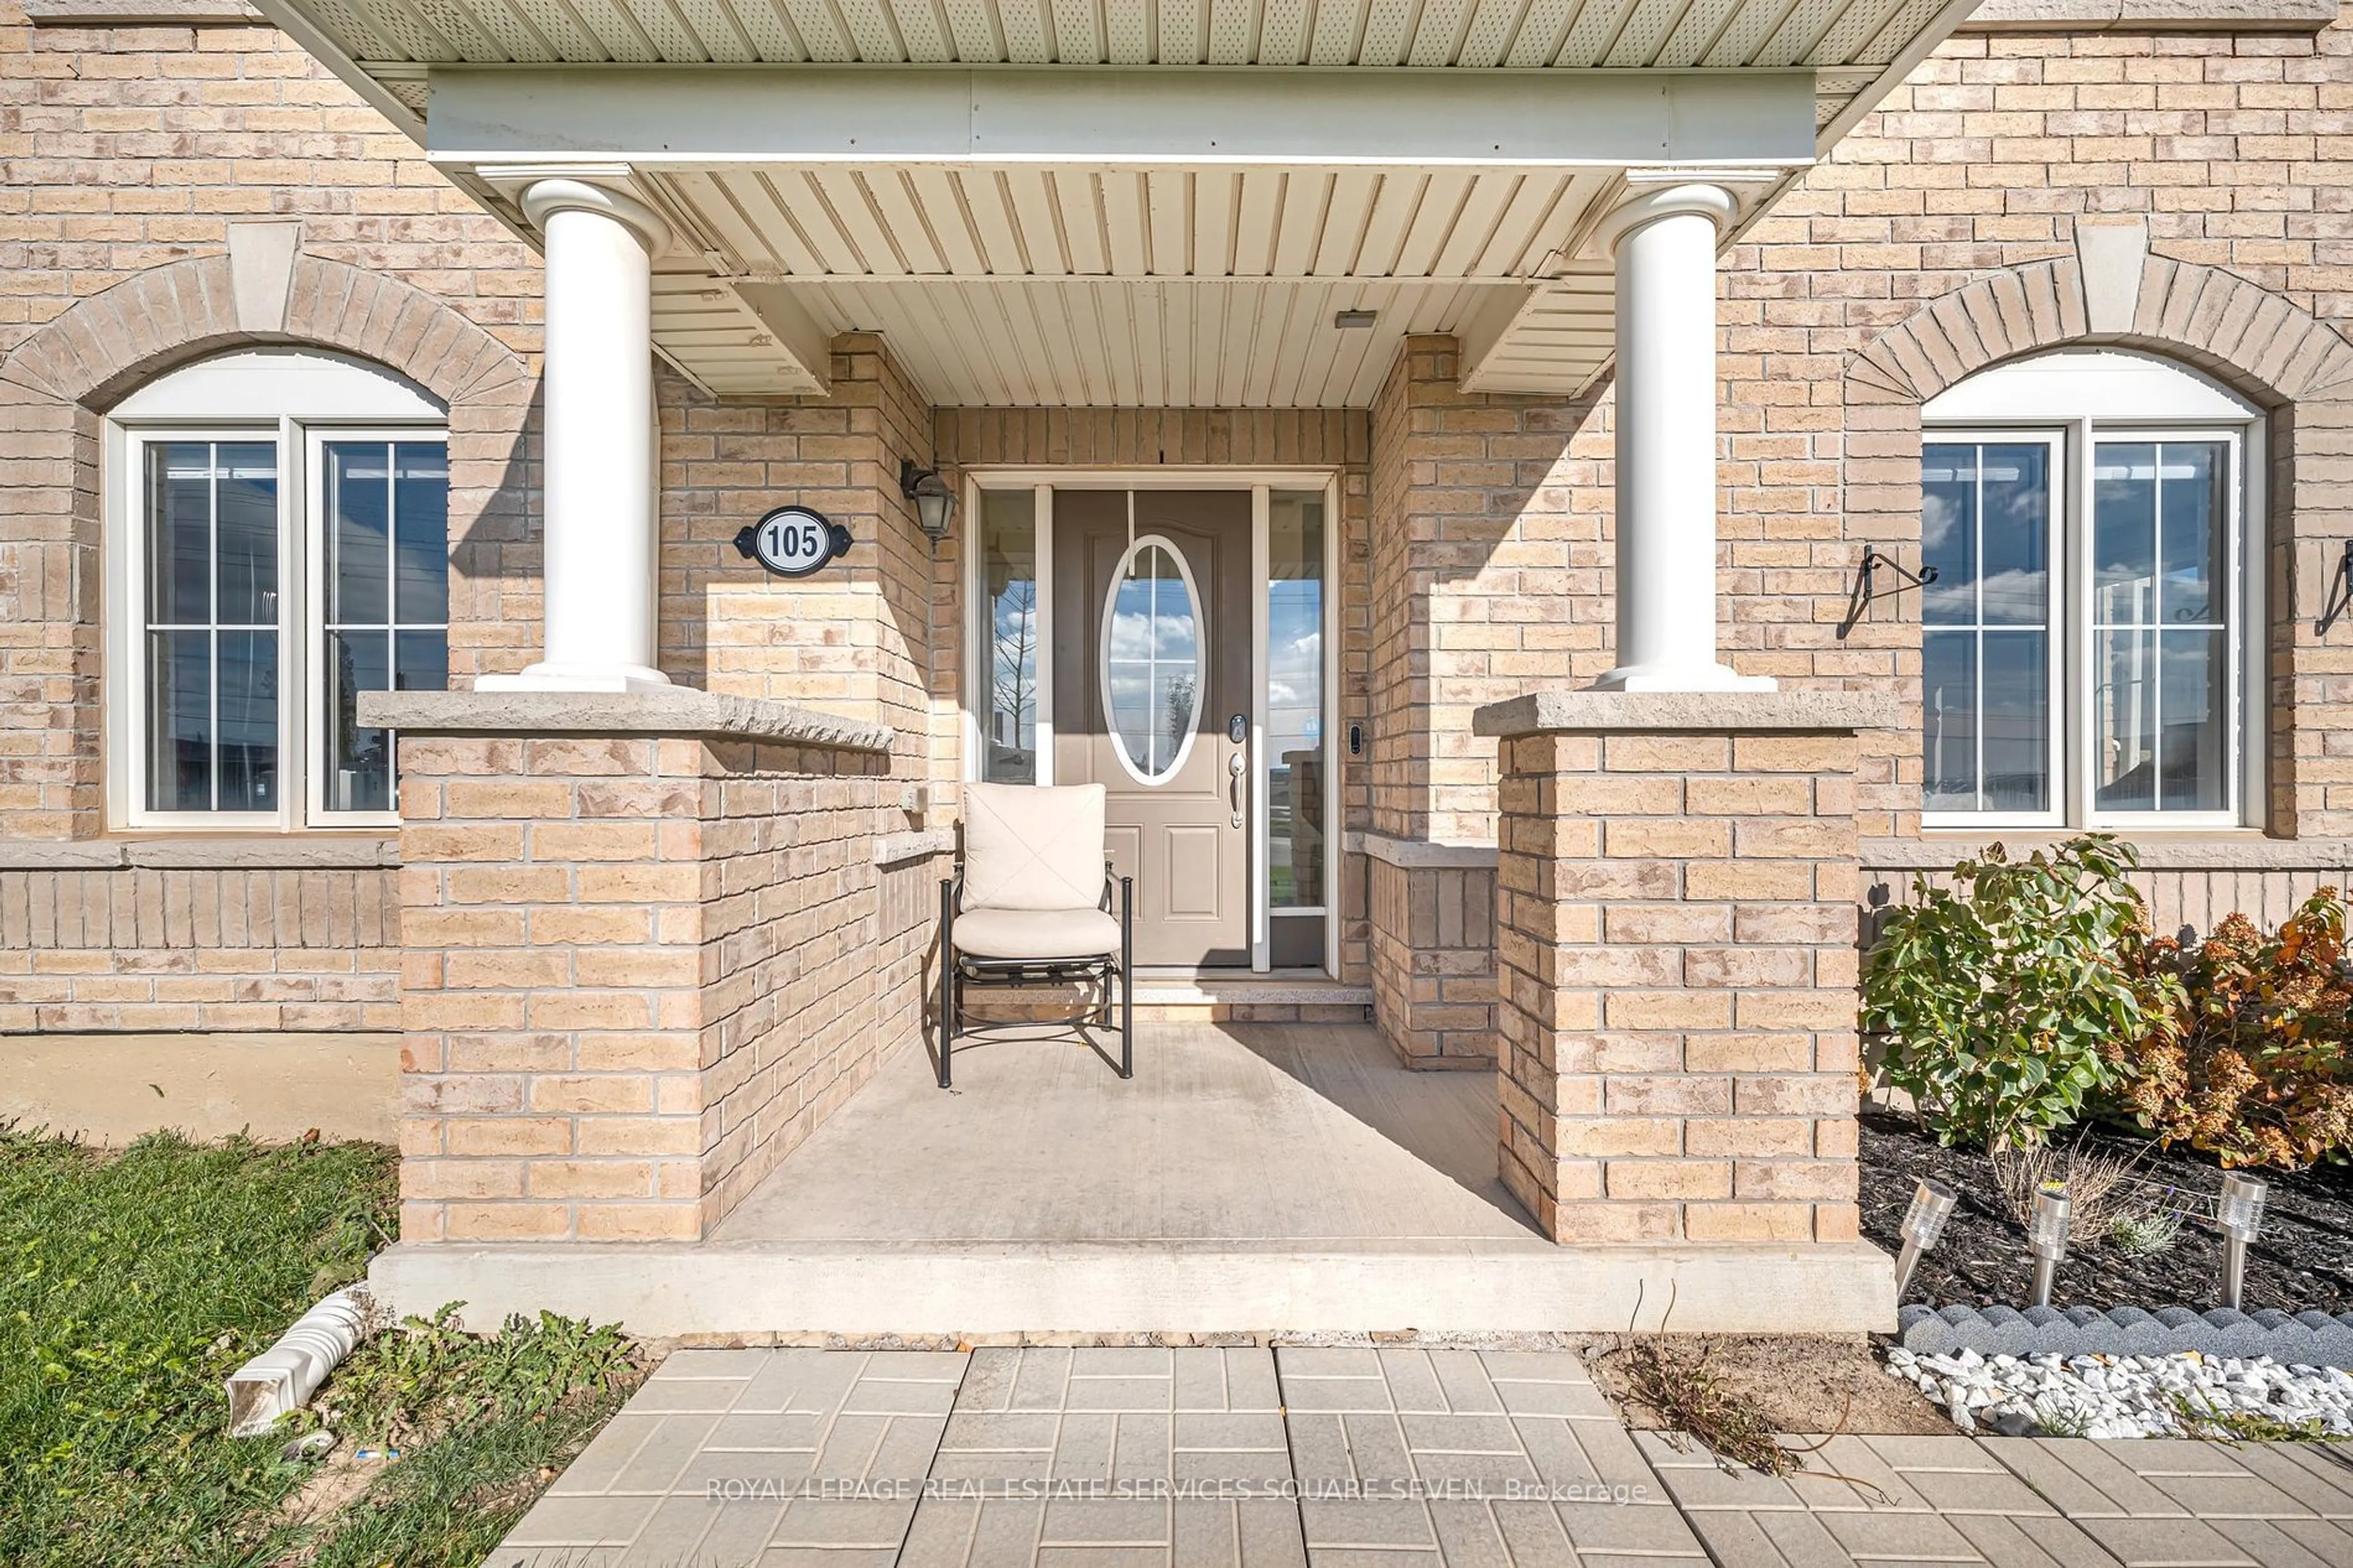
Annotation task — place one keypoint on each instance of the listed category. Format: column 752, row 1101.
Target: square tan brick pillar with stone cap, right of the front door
column 1677, row 964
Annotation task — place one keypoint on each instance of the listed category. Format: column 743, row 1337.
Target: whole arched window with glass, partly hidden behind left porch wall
column 279, row 543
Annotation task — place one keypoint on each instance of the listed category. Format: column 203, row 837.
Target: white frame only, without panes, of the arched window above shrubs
column 2142, row 399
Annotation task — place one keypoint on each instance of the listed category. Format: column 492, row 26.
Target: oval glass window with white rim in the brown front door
column 1152, row 660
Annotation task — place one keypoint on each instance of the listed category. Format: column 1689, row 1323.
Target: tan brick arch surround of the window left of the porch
column 55, row 390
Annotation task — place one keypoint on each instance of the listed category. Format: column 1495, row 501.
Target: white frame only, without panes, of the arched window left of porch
column 295, row 401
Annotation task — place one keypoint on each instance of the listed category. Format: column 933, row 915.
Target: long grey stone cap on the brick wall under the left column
column 676, row 712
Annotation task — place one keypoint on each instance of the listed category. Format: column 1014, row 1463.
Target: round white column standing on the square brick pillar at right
column 1665, row 251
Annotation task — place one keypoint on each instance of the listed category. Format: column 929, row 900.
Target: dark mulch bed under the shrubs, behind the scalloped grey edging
column 2300, row 1261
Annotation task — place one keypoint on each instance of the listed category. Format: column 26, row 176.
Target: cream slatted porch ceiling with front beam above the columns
column 1126, row 201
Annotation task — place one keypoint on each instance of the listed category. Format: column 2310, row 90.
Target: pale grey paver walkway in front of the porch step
column 1347, row 1459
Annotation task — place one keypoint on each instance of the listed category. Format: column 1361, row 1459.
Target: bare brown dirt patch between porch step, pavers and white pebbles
column 1804, row 1383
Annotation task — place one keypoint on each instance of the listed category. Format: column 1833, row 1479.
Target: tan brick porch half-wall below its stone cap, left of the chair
column 639, row 974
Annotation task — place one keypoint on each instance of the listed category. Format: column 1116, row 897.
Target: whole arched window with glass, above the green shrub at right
column 2091, row 646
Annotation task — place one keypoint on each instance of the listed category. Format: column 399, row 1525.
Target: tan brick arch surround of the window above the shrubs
column 2269, row 350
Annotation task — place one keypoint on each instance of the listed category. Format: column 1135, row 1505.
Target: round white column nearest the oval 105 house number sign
column 601, row 460
